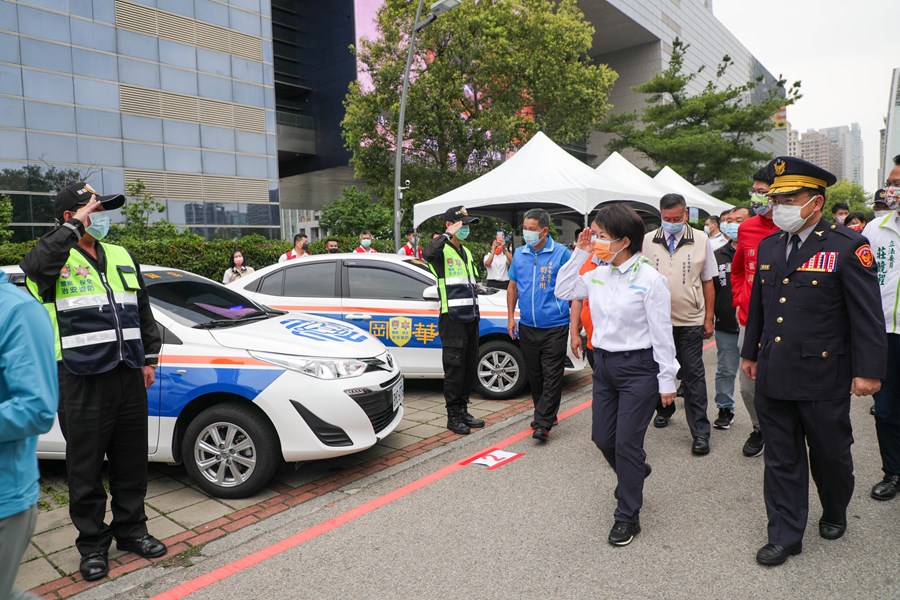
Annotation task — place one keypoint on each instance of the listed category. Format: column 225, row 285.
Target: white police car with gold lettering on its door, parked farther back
column 395, row 299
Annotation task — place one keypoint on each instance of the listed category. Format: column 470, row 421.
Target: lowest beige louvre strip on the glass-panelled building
column 209, row 188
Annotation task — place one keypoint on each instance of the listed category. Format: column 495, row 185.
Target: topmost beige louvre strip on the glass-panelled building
column 158, row 23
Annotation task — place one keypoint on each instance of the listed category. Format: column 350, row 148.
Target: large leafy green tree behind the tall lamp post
column 485, row 77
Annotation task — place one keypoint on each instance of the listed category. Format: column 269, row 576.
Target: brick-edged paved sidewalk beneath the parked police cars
column 186, row 518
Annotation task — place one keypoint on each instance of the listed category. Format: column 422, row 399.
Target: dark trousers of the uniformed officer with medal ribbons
column 791, row 426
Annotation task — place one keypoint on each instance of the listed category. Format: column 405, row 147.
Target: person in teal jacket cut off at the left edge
column 29, row 392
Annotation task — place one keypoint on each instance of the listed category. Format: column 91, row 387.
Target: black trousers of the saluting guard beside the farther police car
column 460, row 358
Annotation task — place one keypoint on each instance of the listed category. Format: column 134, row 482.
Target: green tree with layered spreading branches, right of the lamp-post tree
column 706, row 137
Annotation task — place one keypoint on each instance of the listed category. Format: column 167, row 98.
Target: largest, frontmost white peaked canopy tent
column 540, row 174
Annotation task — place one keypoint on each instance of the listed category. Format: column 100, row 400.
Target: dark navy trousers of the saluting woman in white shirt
column 625, row 391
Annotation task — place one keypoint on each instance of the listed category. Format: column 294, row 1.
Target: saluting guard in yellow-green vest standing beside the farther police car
column 452, row 264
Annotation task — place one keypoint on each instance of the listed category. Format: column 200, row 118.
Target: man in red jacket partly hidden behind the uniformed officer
column 743, row 269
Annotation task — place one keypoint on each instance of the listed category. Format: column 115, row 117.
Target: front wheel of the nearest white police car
column 230, row 451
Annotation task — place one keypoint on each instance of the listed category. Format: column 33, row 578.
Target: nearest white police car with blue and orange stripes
column 241, row 386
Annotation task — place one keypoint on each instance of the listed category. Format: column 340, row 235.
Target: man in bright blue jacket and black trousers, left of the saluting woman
column 543, row 329
